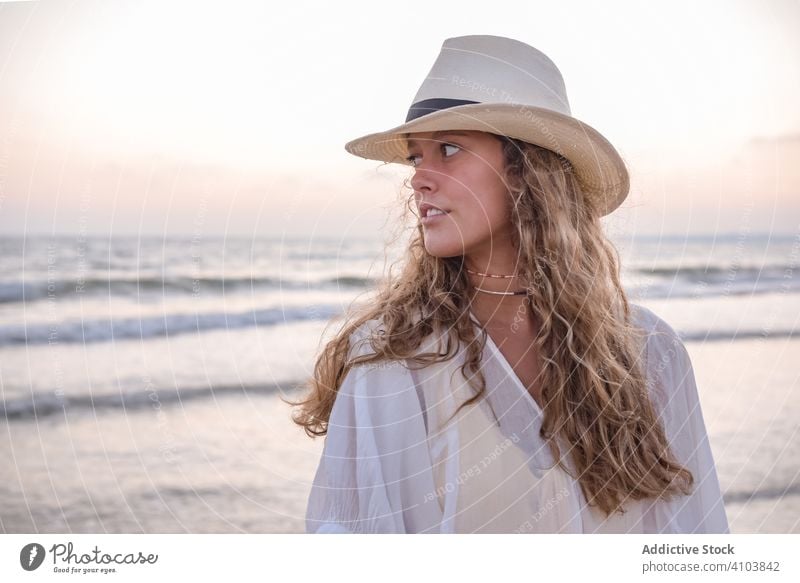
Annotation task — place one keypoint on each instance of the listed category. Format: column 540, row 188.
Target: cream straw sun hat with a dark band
column 506, row 87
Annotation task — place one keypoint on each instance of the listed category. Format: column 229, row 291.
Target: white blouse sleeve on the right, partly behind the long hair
column 672, row 378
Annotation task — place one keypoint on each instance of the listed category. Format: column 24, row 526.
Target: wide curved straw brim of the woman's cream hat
column 598, row 166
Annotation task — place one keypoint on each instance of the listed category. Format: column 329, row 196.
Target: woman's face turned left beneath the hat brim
column 460, row 172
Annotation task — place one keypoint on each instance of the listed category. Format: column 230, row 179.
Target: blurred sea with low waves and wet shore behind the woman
column 141, row 377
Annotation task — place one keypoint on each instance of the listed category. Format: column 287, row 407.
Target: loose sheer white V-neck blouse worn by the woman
column 390, row 463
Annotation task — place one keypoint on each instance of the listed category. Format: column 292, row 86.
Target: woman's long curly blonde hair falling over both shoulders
column 594, row 392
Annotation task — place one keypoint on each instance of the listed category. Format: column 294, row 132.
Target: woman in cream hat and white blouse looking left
column 502, row 382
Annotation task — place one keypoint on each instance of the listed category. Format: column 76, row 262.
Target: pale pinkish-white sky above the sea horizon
column 230, row 117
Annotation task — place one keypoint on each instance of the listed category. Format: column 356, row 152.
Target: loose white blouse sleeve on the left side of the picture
column 375, row 472
